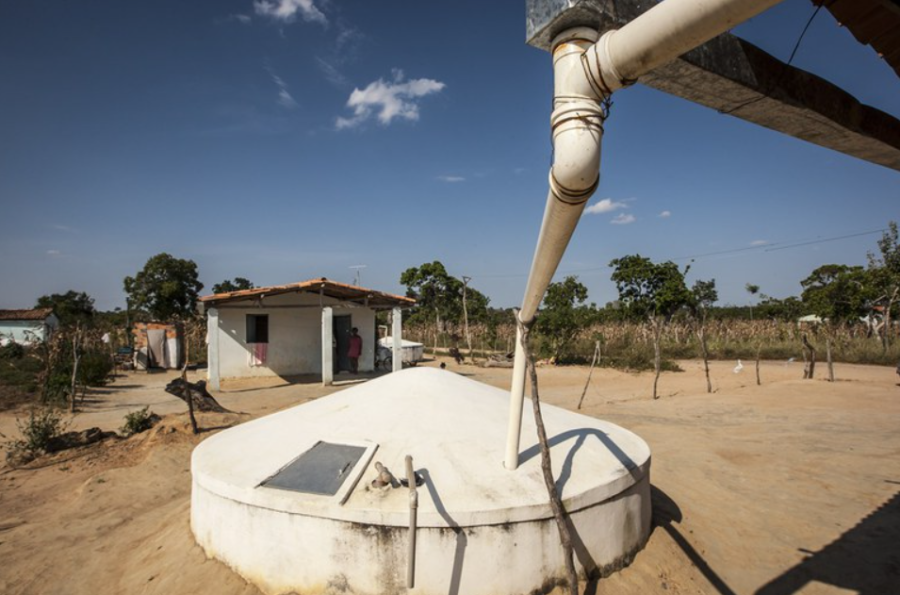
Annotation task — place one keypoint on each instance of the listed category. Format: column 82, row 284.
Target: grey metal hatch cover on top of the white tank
column 322, row 469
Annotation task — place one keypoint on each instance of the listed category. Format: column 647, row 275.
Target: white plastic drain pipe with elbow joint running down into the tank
column 587, row 71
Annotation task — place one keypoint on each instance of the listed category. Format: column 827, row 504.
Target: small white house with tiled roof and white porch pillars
column 281, row 330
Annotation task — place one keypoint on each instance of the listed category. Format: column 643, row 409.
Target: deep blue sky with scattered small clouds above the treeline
column 288, row 139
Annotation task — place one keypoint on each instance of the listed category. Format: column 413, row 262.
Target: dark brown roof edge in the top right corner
column 872, row 22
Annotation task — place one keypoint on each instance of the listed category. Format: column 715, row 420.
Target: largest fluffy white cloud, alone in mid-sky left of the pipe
column 394, row 99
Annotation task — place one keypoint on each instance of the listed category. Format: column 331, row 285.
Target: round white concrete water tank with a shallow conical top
column 287, row 500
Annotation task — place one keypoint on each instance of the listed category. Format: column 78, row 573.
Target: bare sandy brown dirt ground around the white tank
column 788, row 487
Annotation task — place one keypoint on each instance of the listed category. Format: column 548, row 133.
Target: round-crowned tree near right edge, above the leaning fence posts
column 838, row 294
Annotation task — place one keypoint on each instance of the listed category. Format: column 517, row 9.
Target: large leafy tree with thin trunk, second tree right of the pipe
column 650, row 291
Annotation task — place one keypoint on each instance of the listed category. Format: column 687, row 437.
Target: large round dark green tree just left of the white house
column 166, row 288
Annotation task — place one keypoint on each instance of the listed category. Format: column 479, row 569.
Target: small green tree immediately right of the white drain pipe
column 562, row 314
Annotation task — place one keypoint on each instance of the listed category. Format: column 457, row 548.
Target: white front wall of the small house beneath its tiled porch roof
column 295, row 336
